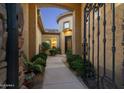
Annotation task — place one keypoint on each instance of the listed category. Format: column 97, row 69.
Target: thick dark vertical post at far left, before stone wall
column 12, row 47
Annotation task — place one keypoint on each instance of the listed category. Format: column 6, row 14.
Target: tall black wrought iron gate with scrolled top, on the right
column 95, row 14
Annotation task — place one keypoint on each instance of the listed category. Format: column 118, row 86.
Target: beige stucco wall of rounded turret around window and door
column 62, row 35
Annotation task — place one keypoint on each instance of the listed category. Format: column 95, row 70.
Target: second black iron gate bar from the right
column 104, row 41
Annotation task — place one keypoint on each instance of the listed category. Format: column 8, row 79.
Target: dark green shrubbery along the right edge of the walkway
column 84, row 69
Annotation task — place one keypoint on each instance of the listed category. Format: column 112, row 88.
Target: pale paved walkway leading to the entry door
column 58, row 76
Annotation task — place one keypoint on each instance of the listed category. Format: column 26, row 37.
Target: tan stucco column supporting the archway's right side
column 76, row 34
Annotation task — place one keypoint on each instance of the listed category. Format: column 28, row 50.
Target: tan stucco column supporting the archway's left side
column 32, row 30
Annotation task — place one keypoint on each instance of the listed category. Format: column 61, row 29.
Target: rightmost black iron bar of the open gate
column 113, row 42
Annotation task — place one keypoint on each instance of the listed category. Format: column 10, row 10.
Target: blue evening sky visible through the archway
column 49, row 16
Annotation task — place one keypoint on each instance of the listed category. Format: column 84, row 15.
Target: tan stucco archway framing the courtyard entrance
column 76, row 36
